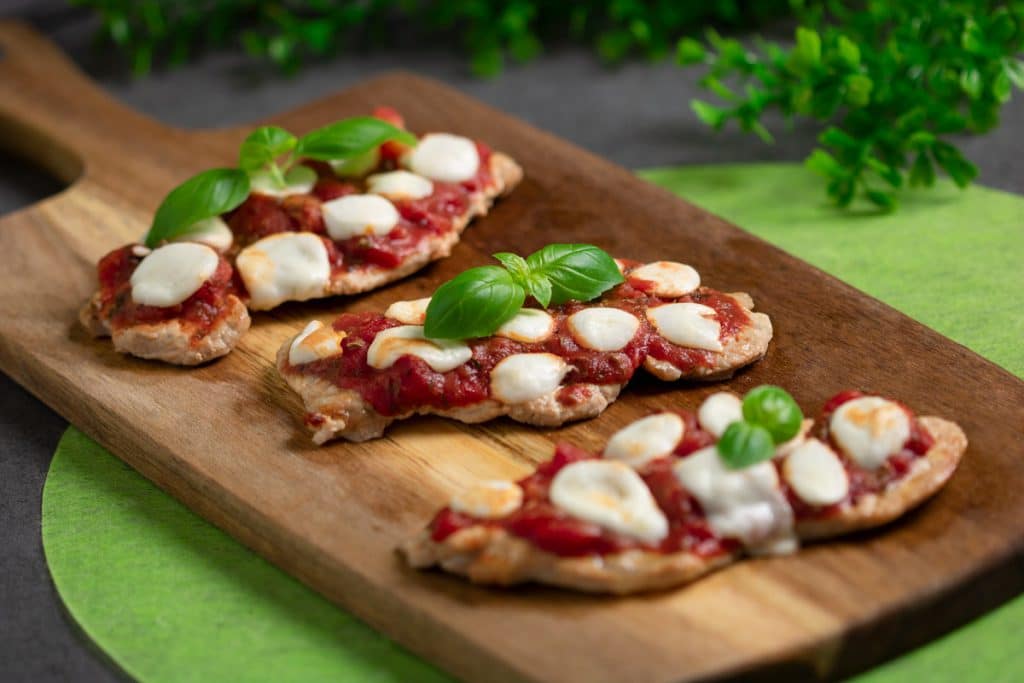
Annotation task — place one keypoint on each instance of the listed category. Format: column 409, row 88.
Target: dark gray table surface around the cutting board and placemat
column 636, row 115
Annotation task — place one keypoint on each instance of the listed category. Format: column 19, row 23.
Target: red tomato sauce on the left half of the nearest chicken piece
column 539, row 522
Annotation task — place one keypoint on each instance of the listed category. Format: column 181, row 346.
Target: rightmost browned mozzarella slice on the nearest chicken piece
column 870, row 430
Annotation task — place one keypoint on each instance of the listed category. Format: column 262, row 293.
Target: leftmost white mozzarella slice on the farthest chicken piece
column 172, row 274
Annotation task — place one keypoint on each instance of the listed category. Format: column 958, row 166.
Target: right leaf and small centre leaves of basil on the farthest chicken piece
column 349, row 139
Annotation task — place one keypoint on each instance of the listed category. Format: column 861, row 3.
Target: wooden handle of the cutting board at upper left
column 52, row 113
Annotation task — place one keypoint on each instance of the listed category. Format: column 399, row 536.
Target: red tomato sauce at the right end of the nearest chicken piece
column 865, row 482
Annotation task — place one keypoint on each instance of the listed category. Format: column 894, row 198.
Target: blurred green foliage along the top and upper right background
column 891, row 81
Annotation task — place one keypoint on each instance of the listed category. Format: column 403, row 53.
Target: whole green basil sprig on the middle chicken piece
column 478, row 302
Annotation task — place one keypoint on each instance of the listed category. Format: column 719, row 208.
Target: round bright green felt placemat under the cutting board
column 170, row 599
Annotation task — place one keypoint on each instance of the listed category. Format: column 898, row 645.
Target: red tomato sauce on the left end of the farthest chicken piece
column 202, row 311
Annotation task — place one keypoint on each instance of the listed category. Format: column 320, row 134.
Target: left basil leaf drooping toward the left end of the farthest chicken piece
column 209, row 194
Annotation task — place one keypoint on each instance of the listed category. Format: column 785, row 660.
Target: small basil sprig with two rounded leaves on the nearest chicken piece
column 771, row 417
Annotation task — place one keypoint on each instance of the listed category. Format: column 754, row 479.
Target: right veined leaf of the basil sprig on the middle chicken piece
column 576, row 272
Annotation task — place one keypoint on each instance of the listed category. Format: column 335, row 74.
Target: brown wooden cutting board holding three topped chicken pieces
column 225, row 439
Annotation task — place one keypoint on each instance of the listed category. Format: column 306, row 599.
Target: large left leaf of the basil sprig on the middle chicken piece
column 475, row 304
